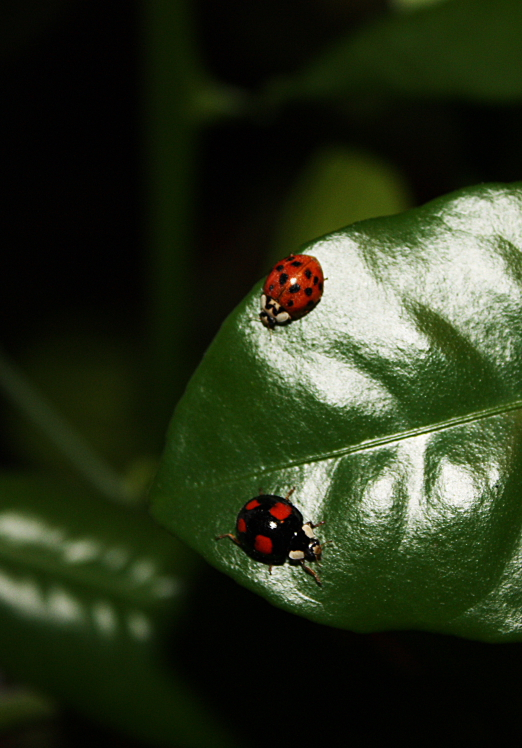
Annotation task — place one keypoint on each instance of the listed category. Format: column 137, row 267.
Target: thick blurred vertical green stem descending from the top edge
column 174, row 80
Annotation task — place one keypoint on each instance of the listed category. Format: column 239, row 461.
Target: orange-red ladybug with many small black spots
column 293, row 288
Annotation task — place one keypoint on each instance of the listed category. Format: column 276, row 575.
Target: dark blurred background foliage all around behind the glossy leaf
column 159, row 156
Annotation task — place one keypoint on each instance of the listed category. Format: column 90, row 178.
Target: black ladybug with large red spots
column 270, row 529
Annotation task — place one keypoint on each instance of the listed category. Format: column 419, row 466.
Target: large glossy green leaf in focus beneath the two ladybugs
column 393, row 408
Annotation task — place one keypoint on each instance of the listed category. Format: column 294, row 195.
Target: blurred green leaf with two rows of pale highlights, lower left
column 87, row 591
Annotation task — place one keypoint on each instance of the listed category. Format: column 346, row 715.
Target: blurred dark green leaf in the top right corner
column 467, row 49
